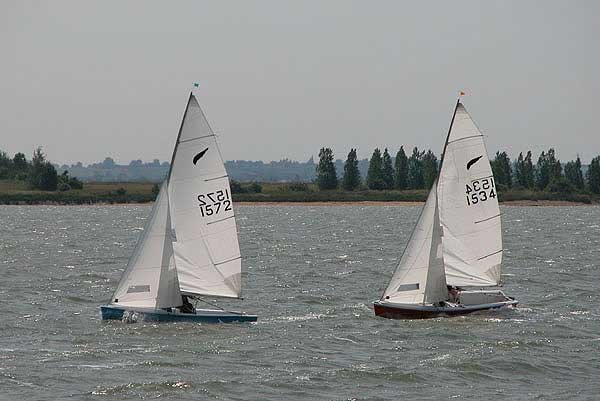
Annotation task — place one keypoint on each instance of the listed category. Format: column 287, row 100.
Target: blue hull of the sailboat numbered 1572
column 111, row 312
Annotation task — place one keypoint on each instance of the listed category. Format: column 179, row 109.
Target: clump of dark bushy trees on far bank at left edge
column 39, row 173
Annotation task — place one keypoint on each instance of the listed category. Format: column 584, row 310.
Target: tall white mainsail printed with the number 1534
column 469, row 210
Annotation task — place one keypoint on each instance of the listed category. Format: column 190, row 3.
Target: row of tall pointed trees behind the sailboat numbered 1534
column 420, row 170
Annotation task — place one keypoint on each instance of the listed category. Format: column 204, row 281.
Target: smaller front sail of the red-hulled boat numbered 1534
column 419, row 277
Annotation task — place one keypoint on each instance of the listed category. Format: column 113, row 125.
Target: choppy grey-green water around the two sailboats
column 311, row 275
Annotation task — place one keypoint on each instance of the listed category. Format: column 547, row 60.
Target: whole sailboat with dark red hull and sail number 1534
column 454, row 253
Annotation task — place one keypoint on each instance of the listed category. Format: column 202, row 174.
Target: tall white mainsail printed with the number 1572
column 207, row 253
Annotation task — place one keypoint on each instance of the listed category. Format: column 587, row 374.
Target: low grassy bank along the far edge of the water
column 14, row 192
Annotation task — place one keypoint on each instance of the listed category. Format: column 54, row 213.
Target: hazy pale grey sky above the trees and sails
column 281, row 79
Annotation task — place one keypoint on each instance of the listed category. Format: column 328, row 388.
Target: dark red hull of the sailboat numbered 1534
column 417, row 311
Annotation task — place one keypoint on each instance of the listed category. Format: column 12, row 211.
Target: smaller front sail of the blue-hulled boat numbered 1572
column 150, row 279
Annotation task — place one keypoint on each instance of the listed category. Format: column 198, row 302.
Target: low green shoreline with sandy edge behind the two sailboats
column 269, row 194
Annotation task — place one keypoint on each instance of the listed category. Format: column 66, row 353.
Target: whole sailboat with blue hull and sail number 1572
column 189, row 247
